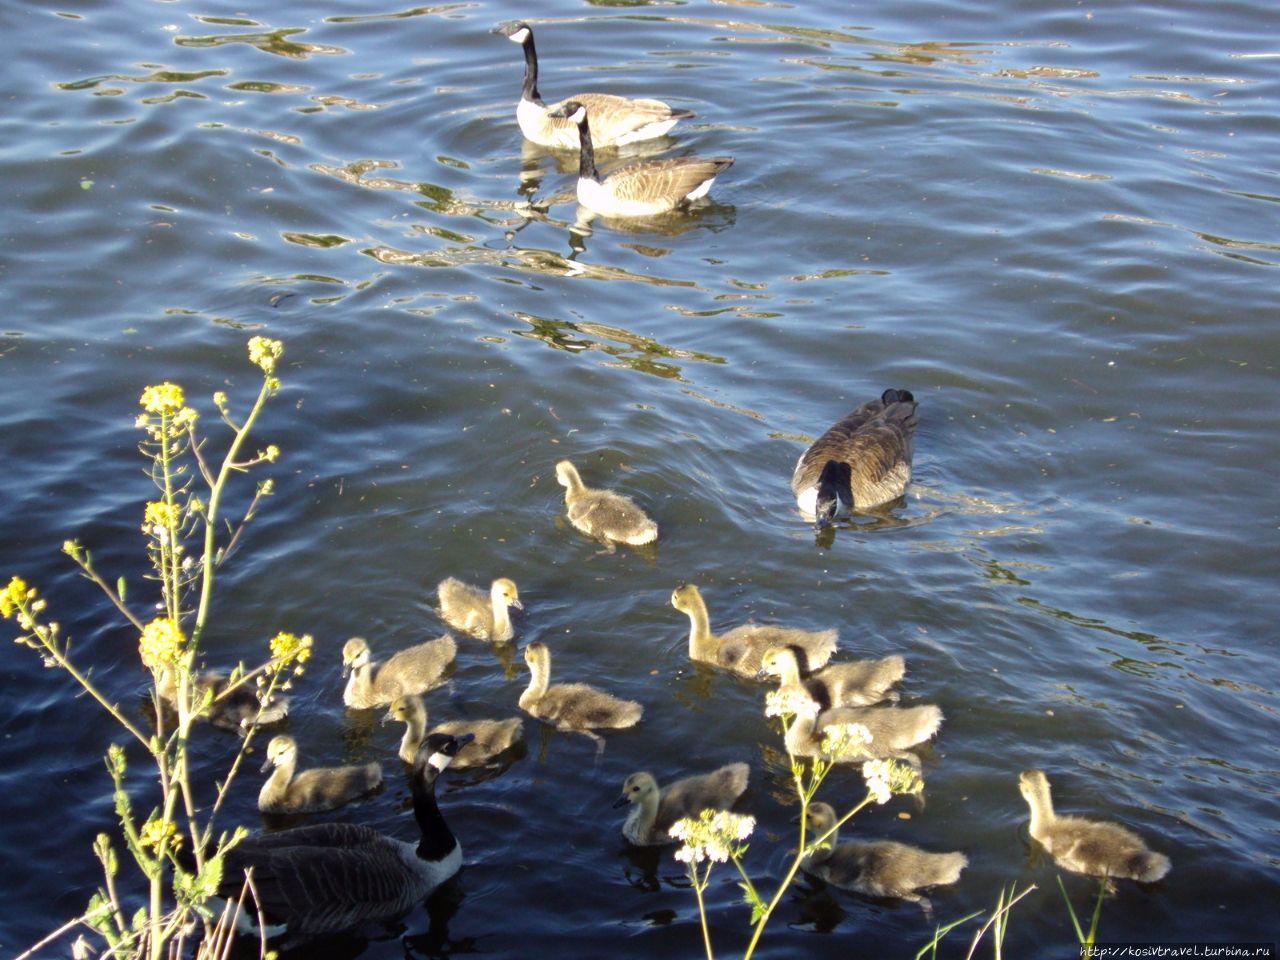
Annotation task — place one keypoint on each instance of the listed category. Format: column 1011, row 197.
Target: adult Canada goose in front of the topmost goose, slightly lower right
column 642, row 188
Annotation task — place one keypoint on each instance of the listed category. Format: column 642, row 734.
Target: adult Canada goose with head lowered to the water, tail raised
column 862, row 461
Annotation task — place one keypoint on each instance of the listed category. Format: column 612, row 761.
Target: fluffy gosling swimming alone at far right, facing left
column 1095, row 848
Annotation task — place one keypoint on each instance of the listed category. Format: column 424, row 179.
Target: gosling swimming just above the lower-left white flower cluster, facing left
column 653, row 811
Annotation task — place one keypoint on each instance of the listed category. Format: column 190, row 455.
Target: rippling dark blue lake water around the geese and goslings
column 1057, row 223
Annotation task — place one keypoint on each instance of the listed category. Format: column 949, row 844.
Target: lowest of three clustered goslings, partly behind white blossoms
column 893, row 729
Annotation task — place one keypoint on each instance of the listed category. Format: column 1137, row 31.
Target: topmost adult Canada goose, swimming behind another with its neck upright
column 618, row 120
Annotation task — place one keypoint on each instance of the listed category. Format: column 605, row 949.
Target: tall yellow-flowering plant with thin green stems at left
column 188, row 542
